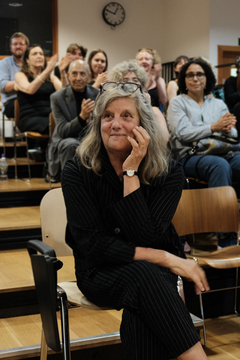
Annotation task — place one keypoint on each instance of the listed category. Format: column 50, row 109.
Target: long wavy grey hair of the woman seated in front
column 156, row 161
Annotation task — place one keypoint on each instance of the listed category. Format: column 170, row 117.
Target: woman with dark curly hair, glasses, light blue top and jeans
column 193, row 116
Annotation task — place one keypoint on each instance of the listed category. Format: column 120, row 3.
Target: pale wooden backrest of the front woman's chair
column 53, row 221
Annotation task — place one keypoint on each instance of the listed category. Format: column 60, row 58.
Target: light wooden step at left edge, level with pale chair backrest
column 20, row 218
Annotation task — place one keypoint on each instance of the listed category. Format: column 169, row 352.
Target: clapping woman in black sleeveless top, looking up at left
column 34, row 85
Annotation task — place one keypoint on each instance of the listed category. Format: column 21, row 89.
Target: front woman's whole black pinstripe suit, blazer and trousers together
column 103, row 230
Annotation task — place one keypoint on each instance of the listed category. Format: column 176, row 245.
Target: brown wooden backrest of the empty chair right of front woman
column 207, row 210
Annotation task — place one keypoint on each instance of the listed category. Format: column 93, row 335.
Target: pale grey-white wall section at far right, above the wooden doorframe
column 224, row 25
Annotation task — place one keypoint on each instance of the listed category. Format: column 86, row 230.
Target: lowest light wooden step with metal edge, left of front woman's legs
column 21, row 336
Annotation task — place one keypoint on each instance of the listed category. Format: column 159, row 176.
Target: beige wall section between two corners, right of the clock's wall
column 186, row 28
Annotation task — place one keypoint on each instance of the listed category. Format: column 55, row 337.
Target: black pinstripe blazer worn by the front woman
column 104, row 227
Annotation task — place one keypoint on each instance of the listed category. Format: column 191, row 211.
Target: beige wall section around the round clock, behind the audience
column 81, row 21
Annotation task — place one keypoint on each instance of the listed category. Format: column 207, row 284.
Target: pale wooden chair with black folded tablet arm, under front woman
column 52, row 296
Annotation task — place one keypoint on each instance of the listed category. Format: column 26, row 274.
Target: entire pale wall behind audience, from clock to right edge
column 172, row 27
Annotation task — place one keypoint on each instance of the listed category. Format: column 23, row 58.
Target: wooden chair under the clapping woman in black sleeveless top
column 25, row 135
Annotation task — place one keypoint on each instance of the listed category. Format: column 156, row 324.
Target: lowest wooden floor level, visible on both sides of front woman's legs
column 223, row 334
